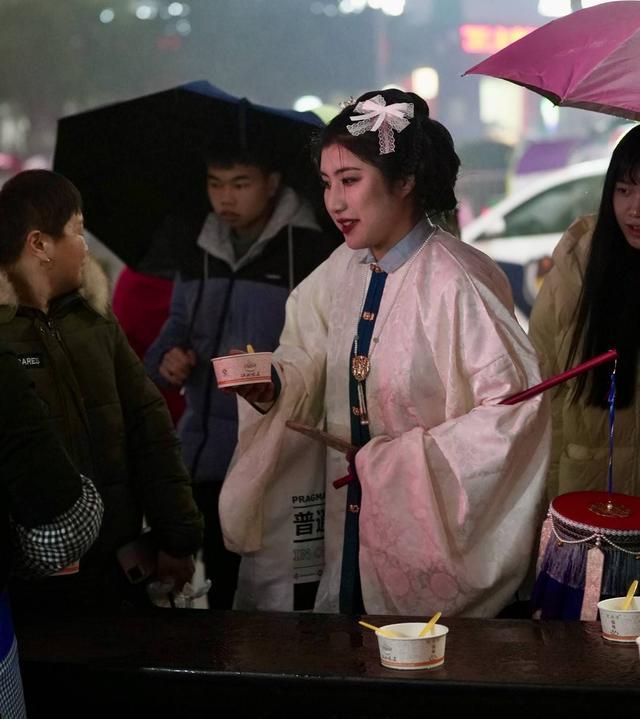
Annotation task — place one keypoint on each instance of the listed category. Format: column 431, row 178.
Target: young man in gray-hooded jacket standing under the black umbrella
column 235, row 271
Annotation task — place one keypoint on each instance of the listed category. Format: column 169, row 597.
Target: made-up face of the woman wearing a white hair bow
column 368, row 212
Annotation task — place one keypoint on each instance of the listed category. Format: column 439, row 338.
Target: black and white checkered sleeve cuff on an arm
column 50, row 547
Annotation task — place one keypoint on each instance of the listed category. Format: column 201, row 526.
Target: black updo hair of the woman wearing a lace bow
column 424, row 150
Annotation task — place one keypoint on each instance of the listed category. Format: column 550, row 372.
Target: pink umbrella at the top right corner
column 589, row 59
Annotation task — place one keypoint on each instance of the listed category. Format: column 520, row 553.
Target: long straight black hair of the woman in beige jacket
column 609, row 305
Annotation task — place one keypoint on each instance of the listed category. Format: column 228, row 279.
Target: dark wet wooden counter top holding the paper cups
column 169, row 663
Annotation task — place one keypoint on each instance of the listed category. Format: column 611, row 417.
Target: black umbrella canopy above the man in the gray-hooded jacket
column 139, row 161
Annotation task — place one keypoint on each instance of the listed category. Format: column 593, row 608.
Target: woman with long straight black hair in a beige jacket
column 590, row 303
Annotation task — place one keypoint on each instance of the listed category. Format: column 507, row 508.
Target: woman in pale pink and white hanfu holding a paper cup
column 402, row 343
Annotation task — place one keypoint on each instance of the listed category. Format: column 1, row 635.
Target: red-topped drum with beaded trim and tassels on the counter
column 589, row 549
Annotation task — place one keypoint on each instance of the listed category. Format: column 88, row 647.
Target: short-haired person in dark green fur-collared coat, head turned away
column 55, row 315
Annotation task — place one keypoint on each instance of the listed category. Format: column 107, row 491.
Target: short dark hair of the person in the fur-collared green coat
column 34, row 200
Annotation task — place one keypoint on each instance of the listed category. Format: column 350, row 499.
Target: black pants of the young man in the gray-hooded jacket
column 221, row 565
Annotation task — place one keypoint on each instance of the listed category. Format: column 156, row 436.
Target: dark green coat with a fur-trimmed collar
column 109, row 416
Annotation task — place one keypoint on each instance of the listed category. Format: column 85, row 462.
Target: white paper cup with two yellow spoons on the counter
column 409, row 651
